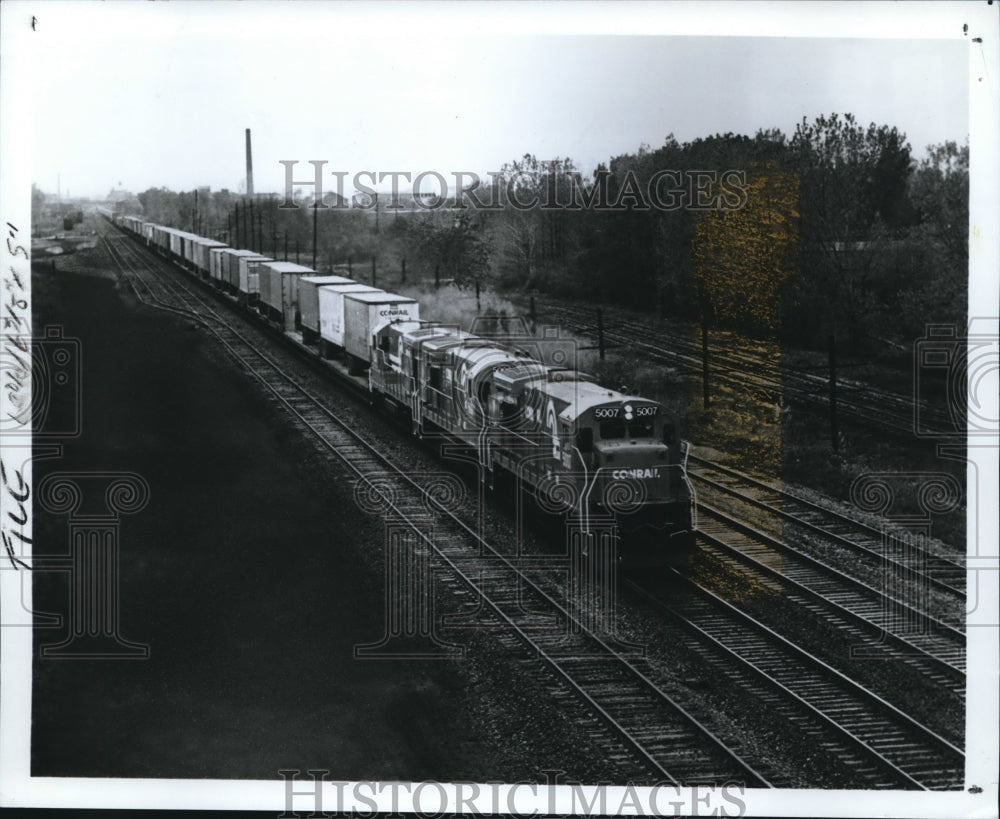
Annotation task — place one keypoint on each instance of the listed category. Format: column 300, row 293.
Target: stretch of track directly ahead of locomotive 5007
column 876, row 740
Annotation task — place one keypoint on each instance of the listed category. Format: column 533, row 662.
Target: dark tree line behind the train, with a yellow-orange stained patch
column 833, row 229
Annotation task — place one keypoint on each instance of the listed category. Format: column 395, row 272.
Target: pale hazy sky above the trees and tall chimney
column 159, row 94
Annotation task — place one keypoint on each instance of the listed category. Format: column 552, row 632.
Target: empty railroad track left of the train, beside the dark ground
column 620, row 689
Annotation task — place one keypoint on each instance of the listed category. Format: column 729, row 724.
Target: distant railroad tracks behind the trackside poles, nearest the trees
column 772, row 382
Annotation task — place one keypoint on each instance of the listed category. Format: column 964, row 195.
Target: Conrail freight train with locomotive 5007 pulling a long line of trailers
column 608, row 461
